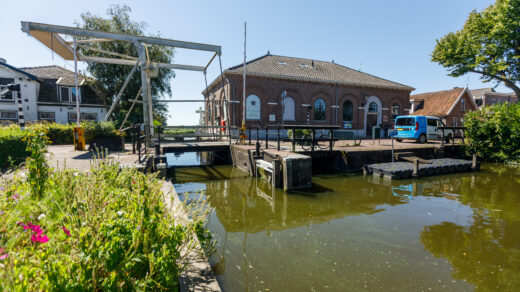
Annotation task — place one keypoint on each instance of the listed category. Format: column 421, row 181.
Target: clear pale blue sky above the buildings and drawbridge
column 389, row 39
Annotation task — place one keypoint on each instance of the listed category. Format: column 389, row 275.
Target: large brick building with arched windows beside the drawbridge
column 304, row 91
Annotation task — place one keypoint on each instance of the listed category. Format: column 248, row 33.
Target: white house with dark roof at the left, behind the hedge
column 48, row 94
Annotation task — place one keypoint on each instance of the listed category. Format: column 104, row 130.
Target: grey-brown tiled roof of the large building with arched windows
column 291, row 68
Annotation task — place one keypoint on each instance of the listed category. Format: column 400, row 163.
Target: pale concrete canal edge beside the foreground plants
column 197, row 275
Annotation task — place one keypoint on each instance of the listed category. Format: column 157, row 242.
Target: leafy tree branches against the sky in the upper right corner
column 488, row 44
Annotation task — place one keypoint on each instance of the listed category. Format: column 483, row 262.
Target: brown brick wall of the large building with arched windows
column 269, row 90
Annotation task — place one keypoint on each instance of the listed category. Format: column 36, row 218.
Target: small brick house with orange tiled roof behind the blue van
column 450, row 105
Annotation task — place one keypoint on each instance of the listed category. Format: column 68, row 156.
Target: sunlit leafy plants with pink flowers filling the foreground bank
column 122, row 234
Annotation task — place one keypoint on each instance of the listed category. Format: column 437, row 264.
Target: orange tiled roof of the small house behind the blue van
column 438, row 103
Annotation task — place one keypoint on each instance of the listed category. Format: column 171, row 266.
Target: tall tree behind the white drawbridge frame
column 110, row 77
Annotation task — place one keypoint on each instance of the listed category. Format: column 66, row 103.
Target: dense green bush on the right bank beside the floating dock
column 494, row 132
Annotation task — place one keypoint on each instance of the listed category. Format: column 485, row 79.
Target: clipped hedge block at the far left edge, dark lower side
column 12, row 146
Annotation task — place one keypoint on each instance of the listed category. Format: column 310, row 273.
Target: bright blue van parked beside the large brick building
column 421, row 129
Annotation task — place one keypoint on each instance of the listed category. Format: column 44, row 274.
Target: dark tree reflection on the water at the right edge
column 487, row 251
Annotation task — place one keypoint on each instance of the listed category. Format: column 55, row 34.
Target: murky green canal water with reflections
column 350, row 233
